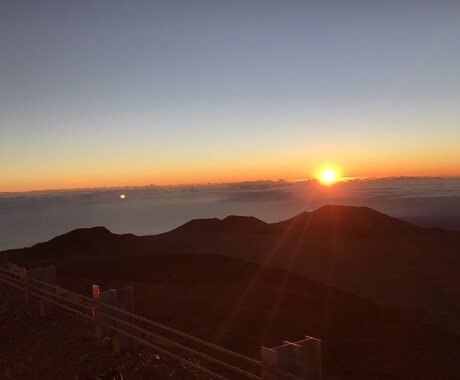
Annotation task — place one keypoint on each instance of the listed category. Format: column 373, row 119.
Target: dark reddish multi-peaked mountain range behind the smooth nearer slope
column 355, row 249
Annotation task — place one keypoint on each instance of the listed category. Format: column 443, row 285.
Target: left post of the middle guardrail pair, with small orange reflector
column 104, row 323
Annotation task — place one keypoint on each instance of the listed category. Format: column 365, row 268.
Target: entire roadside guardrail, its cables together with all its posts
column 113, row 316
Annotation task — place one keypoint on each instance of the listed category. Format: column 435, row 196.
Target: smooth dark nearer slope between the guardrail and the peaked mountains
column 242, row 306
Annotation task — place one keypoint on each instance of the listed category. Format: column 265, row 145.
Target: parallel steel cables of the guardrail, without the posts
column 210, row 360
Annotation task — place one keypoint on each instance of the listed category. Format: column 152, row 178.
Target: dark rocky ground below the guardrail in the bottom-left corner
column 65, row 347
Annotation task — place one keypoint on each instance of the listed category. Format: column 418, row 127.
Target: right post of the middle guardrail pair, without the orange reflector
column 123, row 343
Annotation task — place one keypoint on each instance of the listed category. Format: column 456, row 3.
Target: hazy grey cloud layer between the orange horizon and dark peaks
column 29, row 218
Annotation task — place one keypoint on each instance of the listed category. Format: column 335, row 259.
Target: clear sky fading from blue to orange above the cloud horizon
column 105, row 93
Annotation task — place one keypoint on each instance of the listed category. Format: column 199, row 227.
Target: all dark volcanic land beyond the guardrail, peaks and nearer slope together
column 381, row 293
